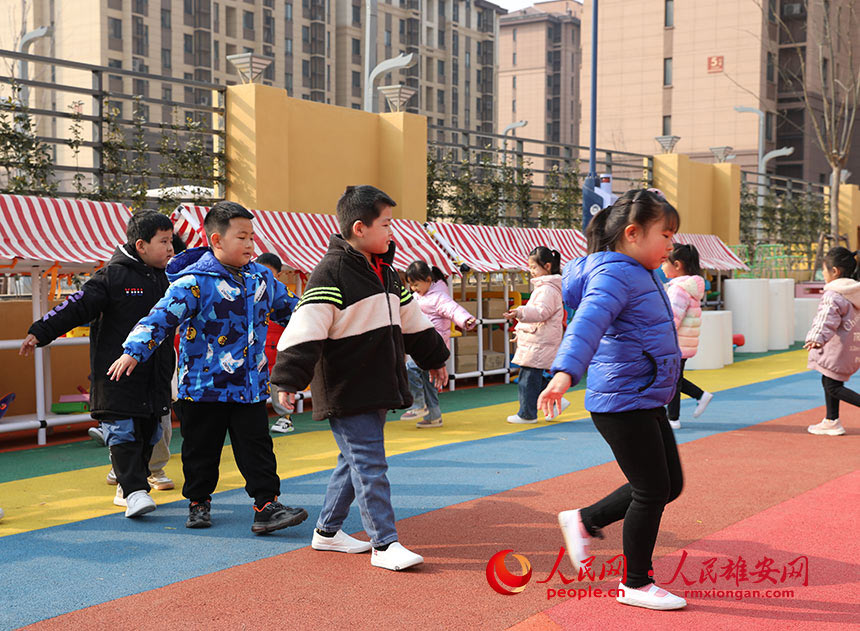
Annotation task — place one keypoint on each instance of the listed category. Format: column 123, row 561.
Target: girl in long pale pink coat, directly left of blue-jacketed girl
column 538, row 332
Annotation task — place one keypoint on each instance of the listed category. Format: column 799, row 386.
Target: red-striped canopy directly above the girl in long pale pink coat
column 494, row 248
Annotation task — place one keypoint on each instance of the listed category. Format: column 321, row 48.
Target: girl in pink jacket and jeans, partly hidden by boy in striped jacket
column 431, row 294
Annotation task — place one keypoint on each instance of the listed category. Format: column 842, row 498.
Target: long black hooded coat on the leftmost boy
column 112, row 302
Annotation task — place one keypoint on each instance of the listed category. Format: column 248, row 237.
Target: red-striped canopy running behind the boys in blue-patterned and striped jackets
column 301, row 239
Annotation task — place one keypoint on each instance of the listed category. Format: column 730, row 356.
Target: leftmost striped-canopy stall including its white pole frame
column 41, row 236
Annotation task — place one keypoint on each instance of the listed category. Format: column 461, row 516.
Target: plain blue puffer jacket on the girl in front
column 623, row 332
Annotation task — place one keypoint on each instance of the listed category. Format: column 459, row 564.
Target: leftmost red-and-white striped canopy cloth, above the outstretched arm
column 68, row 232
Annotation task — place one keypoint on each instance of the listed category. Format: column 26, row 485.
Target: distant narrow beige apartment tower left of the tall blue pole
column 539, row 68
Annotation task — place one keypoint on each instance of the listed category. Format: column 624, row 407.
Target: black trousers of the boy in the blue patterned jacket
column 204, row 427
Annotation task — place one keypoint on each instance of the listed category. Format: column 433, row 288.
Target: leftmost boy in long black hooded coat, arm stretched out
column 113, row 300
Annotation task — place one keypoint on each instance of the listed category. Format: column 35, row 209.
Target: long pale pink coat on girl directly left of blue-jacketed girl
column 541, row 324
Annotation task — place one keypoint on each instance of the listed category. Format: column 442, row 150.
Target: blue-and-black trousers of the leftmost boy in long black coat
column 130, row 443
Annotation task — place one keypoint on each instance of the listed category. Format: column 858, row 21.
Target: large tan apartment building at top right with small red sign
column 669, row 68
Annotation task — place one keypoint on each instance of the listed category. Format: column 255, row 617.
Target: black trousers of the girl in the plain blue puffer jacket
column 645, row 449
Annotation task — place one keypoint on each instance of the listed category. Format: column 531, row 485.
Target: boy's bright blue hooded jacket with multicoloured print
column 222, row 327
